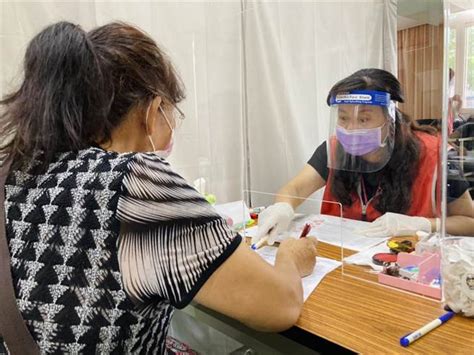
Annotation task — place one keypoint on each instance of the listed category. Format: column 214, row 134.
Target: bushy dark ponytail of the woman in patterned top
column 62, row 98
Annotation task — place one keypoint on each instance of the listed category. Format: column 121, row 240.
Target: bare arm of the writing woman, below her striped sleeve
column 250, row 290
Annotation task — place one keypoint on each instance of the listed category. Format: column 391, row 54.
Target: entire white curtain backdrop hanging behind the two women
column 257, row 73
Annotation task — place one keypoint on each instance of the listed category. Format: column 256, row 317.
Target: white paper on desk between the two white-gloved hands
column 333, row 230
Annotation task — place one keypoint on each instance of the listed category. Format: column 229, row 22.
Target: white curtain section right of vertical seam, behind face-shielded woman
column 294, row 54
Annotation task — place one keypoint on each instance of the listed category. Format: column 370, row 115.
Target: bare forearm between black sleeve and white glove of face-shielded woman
column 300, row 187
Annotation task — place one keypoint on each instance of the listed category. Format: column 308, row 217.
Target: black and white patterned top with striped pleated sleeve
column 97, row 227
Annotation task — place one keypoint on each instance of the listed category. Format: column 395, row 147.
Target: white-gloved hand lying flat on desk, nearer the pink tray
column 395, row 224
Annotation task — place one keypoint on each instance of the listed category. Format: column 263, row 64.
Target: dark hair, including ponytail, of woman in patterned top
column 78, row 87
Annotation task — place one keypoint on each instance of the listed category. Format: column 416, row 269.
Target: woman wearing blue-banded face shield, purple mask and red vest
column 377, row 163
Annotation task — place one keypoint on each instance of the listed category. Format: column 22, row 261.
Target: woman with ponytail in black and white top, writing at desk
column 105, row 238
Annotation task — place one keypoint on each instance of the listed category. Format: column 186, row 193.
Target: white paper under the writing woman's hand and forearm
column 323, row 267
